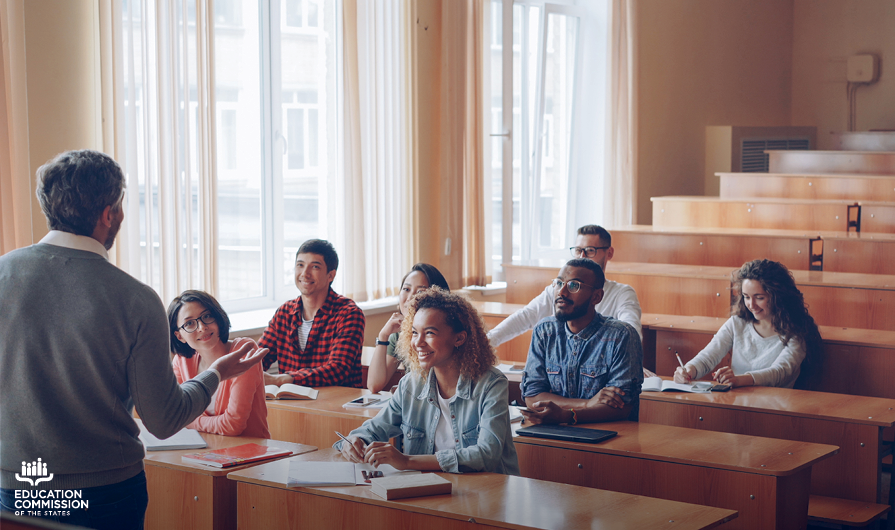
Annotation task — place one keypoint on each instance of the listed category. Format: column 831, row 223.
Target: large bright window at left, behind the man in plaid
column 275, row 116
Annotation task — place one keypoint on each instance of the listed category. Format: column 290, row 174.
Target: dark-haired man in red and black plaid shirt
column 316, row 339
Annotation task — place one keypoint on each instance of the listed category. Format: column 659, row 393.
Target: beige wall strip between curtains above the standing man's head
column 63, row 83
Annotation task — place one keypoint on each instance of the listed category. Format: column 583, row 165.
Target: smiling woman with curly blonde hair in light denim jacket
column 451, row 407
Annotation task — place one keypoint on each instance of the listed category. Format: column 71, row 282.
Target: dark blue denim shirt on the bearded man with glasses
column 607, row 352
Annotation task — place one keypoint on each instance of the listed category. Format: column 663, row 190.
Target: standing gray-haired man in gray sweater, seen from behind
column 81, row 344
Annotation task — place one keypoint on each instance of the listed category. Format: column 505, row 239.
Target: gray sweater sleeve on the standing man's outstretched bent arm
column 164, row 406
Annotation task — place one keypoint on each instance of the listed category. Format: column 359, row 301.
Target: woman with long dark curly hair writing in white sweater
column 768, row 335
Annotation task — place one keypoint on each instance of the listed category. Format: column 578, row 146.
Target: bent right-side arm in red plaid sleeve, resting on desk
column 344, row 354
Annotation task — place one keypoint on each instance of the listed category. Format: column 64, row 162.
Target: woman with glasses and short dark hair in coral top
column 200, row 332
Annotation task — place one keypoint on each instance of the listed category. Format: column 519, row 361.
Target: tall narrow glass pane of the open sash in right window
column 559, row 80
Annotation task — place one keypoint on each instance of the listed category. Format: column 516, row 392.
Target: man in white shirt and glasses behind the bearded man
column 619, row 300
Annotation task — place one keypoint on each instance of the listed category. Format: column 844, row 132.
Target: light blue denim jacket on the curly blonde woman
column 480, row 421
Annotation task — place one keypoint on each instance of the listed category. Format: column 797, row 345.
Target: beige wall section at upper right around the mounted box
column 825, row 34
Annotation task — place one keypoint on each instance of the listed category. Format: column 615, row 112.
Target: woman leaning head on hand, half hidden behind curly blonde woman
column 384, row 362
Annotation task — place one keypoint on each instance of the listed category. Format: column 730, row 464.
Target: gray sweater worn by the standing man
column 81, row 344
